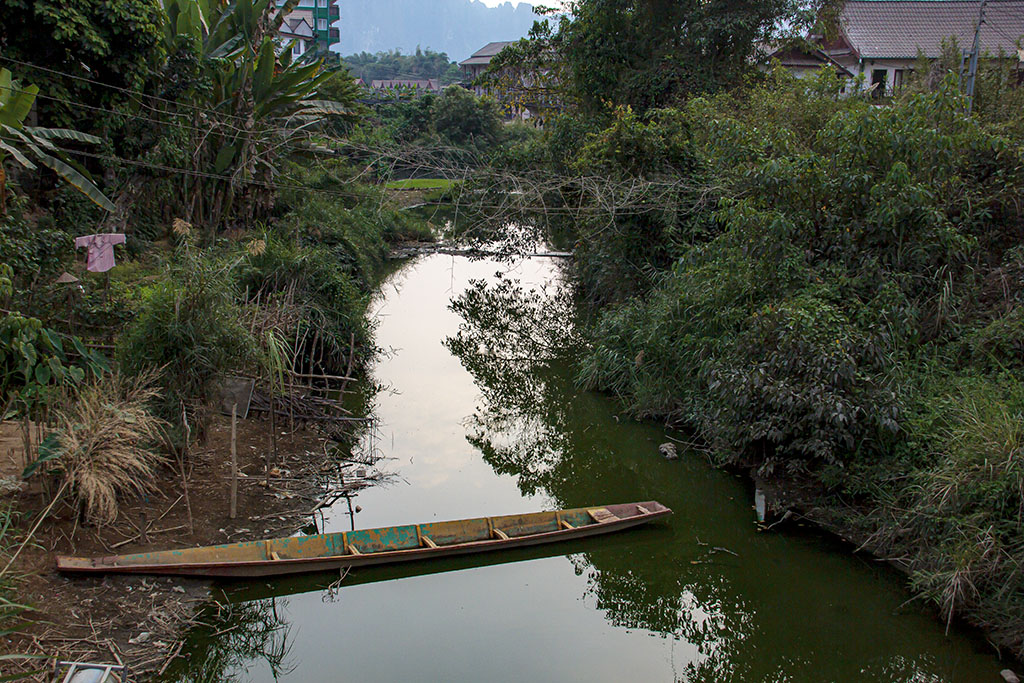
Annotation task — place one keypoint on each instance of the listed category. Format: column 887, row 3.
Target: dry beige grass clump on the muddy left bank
column 106, row 443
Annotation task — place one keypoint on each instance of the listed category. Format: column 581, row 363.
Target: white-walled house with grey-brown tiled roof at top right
column 881, row 39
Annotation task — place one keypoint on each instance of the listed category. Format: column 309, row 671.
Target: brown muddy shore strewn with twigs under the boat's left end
column 143, row 621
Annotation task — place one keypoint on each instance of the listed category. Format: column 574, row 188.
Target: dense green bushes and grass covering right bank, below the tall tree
column 848, row 308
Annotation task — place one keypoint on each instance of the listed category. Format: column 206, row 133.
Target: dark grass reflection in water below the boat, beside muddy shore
column 235, row 637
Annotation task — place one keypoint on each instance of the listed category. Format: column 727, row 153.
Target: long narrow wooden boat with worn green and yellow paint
column 374, row 546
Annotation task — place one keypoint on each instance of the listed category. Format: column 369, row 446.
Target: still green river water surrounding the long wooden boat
column 653, row 605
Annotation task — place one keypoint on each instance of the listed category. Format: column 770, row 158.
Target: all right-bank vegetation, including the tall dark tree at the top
column 825, row 290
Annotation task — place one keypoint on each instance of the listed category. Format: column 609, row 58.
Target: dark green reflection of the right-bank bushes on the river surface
column 534, row 423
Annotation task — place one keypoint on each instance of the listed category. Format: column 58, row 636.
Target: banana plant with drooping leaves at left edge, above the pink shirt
column 30, row 146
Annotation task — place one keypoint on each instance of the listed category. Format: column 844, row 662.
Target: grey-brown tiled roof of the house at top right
column 898, row 29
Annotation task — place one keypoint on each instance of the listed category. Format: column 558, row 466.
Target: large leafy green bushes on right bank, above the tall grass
column 838, row 257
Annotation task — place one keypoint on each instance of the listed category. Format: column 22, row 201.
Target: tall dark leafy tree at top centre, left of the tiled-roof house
column 650, row 54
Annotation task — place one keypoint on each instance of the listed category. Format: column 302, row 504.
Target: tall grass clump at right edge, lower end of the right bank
column 965, row 515
